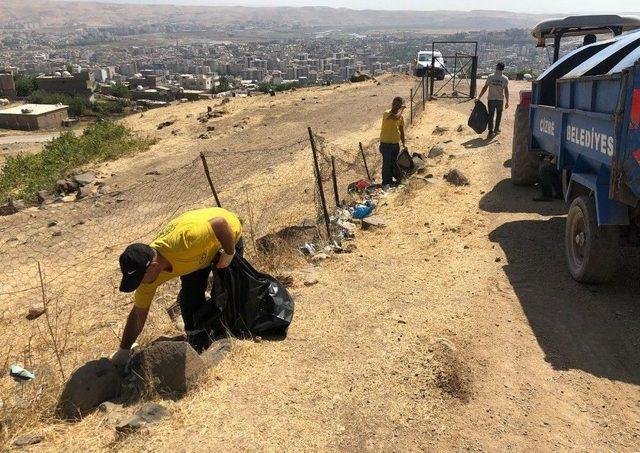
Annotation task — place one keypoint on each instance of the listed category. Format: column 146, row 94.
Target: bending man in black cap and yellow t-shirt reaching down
column 186, row 247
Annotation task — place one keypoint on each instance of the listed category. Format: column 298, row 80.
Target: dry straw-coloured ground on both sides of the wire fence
column 455, row 327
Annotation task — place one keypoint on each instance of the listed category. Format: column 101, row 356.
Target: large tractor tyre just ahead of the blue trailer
column 524, row 164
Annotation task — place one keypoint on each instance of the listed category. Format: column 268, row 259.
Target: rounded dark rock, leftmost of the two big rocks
column 89, row 386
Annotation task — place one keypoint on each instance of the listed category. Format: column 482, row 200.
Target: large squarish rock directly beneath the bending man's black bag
column 170, row 368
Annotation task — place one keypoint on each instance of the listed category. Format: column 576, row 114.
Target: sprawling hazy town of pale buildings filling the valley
column 91, row 59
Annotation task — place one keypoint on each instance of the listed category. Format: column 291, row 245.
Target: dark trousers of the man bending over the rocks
column 201, row 317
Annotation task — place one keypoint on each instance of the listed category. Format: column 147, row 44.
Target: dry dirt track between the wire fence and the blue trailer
column 455, row 327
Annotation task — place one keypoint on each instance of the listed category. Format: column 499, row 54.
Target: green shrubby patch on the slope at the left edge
column 25, row 174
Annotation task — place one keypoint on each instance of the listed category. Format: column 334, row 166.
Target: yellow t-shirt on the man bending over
column 189, row 244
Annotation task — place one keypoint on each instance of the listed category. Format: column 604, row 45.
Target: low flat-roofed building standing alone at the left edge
column 32, row 117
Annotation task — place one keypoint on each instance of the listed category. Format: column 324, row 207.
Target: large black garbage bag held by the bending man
column 250, row 302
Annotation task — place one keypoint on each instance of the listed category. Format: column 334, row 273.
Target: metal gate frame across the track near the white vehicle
column 470, row 61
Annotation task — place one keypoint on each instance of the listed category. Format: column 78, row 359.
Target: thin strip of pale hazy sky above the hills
column 532, row 6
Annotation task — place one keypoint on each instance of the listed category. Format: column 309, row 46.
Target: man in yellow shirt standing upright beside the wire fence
column 391, row 135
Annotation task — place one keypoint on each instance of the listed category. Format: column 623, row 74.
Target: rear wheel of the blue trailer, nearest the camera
column 591, row 251
